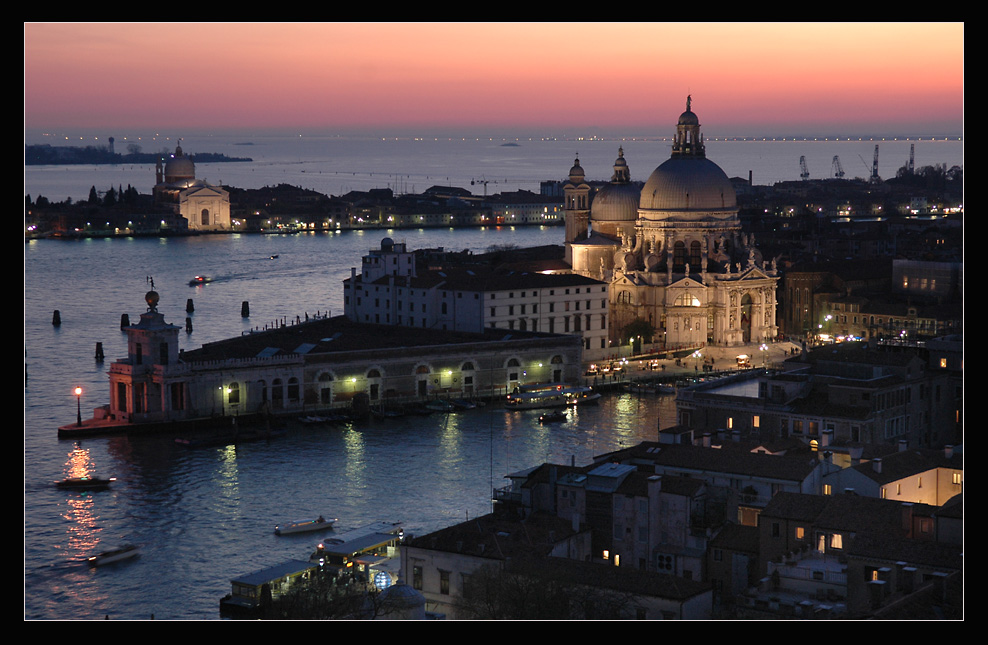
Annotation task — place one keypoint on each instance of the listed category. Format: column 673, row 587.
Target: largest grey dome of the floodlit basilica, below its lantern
column 688, row 183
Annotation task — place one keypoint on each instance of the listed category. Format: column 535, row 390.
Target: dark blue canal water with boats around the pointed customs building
column 205, row 516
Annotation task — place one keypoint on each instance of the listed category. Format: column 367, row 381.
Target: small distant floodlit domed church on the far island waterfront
column 204, row 206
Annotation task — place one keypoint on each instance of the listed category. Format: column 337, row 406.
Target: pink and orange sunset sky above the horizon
column 532, row 79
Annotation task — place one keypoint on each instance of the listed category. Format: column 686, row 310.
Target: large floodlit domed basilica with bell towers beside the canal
column 672, row 250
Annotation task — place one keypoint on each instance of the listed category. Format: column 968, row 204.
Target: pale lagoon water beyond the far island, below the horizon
column 336, row 165
